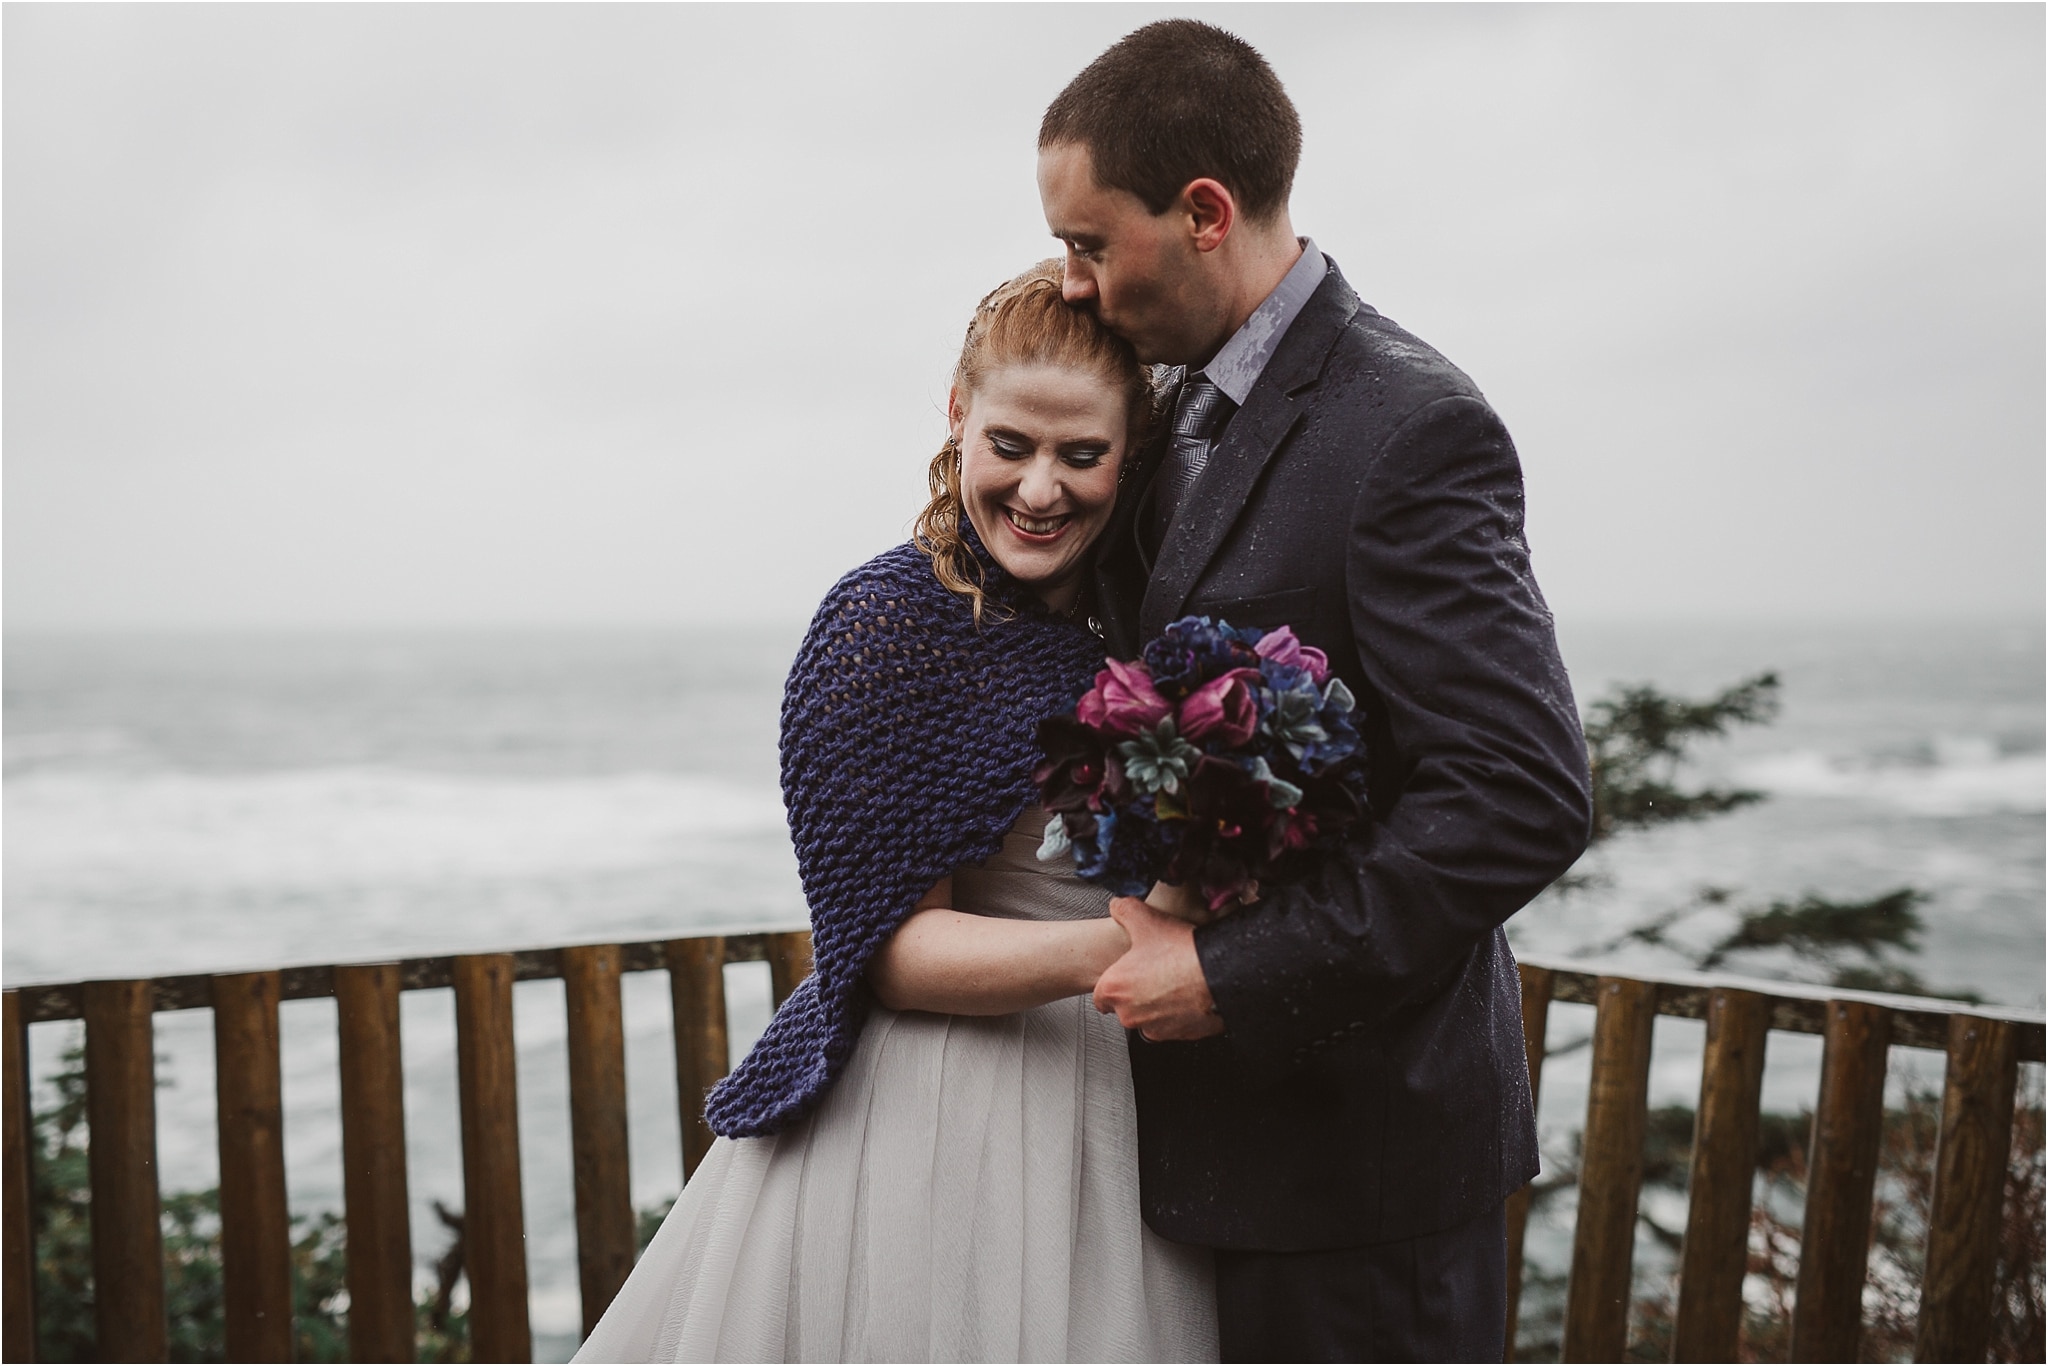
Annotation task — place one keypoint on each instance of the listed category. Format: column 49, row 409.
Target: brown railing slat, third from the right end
column 1723, row 1177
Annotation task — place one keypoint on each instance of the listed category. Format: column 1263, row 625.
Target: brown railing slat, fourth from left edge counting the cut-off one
column 374, row 1164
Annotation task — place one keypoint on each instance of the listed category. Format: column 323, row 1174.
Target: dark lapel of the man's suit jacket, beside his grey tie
column 1254, row 435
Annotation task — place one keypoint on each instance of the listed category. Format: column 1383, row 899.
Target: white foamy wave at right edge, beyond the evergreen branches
column 1957, row 777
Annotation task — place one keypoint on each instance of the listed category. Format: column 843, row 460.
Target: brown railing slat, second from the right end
column 1842, row 1170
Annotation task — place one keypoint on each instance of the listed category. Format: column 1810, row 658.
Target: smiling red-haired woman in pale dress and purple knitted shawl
column 933, row 1150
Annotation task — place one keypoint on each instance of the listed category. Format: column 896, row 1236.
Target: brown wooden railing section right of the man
column 1859, row 1031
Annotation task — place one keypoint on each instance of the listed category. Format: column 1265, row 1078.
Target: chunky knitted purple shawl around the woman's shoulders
column 908, row 742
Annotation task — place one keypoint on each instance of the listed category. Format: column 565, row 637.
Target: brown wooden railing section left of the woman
column 255, row 1222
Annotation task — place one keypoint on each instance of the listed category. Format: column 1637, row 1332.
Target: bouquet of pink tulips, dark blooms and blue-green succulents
column 1215, row 761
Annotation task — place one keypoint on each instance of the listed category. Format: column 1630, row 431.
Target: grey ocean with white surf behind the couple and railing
column 226, row 802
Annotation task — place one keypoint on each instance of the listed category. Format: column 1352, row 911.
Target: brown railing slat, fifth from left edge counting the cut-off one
column 495, row 1215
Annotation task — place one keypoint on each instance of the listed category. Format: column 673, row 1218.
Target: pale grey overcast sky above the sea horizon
column 644, row 314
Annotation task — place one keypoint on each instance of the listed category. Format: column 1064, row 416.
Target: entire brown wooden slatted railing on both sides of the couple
column 1859, row 1029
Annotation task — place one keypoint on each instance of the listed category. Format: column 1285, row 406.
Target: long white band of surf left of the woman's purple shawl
column 355, row 826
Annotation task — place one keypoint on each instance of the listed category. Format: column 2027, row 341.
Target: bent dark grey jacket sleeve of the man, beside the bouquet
column 1494, row 800
